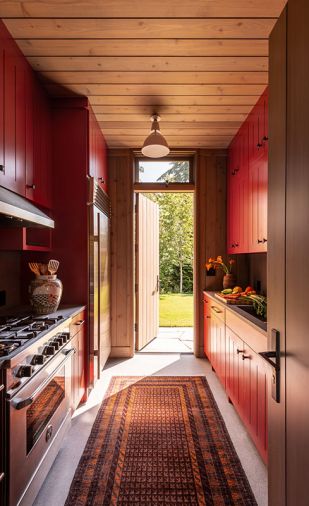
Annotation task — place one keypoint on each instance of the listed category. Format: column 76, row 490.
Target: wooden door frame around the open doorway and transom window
column 170, row 188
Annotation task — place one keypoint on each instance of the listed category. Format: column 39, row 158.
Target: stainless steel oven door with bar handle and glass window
column 36, row 414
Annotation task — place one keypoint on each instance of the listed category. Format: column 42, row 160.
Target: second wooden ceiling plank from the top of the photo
column 155, row 28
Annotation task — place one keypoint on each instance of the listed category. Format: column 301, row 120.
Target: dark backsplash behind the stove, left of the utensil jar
column 10, row 278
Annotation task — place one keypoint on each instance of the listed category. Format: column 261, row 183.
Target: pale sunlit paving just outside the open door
column 171, row 340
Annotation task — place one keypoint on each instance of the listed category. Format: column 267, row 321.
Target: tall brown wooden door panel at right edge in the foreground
column 288, row 267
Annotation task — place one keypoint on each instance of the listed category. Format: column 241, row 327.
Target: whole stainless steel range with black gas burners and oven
column 35, row 360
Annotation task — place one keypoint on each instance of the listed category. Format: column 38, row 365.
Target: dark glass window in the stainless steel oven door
column 43, row 408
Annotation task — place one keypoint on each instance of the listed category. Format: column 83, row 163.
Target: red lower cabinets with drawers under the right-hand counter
column 241, row 370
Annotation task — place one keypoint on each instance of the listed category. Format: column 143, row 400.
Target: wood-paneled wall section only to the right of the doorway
column 210, row 228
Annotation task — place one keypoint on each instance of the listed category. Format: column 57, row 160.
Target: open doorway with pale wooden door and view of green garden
column 164, row 270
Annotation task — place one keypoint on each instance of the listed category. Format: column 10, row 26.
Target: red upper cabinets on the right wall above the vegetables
column 247, row 183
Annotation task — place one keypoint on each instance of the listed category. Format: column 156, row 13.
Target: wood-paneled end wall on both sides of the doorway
column 210, row 240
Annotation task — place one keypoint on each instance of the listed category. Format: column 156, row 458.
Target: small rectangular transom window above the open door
column 172, row 171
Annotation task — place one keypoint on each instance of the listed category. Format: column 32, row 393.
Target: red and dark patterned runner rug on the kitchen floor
column 159, row 440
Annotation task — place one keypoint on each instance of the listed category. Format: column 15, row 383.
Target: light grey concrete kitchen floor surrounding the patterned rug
column 55, row 489
